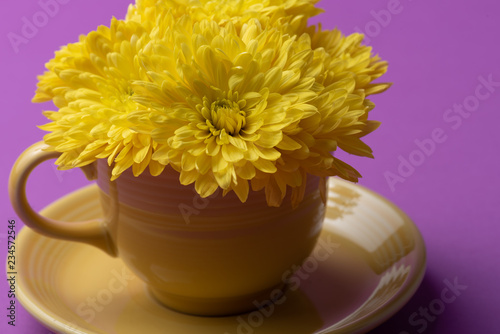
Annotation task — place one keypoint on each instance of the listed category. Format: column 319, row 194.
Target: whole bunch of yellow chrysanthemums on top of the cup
column 237, row 95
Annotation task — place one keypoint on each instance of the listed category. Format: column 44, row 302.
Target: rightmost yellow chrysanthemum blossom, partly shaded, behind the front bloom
column 343, row 71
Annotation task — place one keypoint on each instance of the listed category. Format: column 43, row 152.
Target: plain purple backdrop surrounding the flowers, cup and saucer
column 436, row 50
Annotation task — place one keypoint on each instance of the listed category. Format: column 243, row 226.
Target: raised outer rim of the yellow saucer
column 54, row 322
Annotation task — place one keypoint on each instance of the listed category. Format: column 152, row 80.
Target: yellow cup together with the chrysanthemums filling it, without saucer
column 231, row 97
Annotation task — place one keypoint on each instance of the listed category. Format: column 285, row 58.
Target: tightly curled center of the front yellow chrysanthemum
column 228, row 116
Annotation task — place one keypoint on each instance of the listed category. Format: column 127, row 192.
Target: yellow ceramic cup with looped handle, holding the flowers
column 212, row 256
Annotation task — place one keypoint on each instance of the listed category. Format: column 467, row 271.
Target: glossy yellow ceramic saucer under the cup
column 368, row 263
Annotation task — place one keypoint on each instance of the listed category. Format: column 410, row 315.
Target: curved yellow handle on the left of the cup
column 92, row 232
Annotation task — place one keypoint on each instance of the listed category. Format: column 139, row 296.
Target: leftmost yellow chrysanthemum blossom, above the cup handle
column 90, row 83
